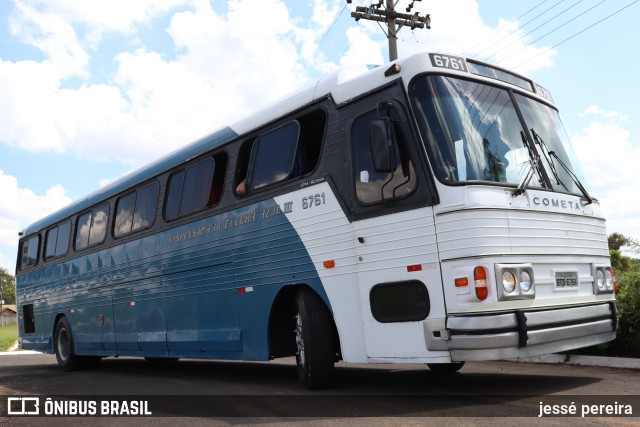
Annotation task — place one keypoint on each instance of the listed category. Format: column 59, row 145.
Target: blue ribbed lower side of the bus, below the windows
column 204, row 289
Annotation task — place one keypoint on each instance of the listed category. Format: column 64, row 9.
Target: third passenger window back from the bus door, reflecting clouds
column 136, row 211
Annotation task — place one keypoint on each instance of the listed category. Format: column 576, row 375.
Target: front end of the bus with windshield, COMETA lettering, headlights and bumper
column 522, row 244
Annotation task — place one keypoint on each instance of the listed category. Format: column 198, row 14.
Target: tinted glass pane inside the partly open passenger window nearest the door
column 274, row 155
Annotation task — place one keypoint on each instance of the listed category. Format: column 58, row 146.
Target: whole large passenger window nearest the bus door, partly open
column 289, row 151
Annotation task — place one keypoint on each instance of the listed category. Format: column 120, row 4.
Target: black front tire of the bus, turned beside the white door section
column 314, row 340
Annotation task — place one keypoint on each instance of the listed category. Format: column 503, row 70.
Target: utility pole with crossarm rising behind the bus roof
column 394, row 20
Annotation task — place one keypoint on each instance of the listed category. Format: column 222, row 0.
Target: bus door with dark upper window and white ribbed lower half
column 394, row 231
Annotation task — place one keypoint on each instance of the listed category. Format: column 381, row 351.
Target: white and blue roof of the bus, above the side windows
column 341, row 85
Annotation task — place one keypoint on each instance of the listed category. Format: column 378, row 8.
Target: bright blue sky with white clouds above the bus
column 92, row 89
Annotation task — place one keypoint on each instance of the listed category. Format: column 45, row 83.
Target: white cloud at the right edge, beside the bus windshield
column 610, row 159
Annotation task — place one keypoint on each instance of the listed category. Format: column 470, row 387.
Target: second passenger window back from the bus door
column 197, row 187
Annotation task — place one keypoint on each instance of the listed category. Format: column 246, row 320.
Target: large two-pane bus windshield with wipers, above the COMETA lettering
column 473, row 133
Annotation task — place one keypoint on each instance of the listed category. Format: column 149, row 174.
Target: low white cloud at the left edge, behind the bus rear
column 19, row 208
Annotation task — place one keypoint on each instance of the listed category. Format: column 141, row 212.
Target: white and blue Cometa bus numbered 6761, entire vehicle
column 427, row 211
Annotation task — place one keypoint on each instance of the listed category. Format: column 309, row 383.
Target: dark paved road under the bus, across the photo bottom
column 263, row 393
